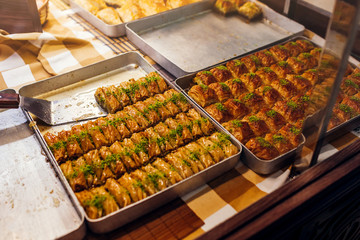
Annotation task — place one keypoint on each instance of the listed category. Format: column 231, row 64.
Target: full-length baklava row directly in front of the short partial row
column 82, row 138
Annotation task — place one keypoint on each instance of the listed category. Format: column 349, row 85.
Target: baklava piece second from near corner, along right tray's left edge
column 240, row 130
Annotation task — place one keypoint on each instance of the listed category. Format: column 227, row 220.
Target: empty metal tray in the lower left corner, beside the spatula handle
column 34, row 202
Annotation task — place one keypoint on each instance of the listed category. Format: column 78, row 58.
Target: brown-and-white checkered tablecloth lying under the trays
column 68, row 42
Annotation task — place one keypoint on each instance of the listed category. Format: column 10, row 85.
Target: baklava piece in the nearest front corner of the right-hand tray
column 262, row 148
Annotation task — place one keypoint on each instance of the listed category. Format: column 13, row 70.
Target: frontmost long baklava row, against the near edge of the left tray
column 155, row 176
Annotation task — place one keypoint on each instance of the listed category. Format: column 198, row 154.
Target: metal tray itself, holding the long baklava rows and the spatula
column 98, row 72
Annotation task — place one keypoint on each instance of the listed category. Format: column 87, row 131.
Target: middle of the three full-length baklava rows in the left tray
column 94, row 167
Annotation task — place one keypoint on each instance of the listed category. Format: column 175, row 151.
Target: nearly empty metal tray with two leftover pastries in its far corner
column 178, row 40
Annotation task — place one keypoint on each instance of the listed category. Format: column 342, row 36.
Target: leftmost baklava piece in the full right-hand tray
column 203, row 95
